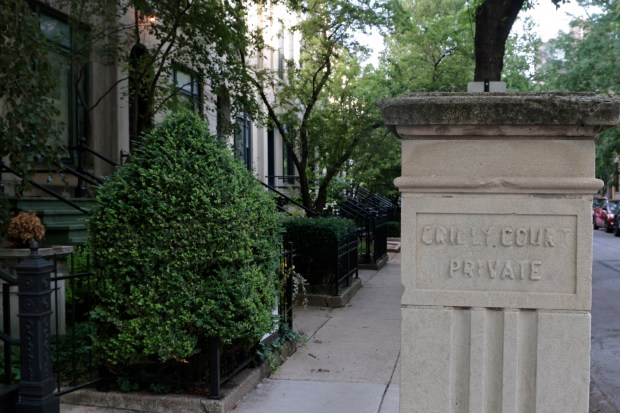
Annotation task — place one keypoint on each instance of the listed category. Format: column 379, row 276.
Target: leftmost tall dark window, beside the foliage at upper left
column 70, row 85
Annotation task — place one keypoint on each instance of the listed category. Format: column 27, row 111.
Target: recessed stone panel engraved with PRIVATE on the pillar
column 496, row 252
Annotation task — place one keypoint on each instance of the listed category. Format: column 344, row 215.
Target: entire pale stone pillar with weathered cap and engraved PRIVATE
column 497, row 249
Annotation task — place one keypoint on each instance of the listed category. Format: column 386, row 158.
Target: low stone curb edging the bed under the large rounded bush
column 100, row 401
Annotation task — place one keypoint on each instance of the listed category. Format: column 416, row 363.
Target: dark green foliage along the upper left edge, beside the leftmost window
column 29, row 135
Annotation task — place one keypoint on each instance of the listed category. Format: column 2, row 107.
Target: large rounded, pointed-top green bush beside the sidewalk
column 186, row 246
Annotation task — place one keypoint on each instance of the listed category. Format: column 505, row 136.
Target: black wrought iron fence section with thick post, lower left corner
column 63, row 342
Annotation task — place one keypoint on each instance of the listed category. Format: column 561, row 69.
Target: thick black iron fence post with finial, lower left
column 36, row 387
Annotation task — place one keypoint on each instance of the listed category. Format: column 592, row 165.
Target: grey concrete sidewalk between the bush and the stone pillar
column 350, row 359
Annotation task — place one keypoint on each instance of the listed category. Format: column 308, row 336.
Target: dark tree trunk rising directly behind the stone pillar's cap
column 494, row 20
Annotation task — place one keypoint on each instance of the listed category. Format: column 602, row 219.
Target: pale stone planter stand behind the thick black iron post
column 9, row 257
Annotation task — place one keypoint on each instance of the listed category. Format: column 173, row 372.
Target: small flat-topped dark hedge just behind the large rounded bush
column 316, row 242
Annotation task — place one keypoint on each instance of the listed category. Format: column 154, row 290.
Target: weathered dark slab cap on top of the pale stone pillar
column 501, row 109
